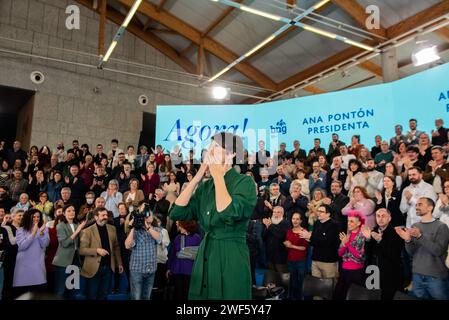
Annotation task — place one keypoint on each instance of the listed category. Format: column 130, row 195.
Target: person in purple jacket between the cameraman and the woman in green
column 181, row 257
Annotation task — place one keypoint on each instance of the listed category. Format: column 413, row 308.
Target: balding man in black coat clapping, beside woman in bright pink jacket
column 383, row 247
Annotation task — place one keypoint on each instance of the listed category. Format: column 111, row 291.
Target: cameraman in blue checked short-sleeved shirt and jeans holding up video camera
column 142, row 241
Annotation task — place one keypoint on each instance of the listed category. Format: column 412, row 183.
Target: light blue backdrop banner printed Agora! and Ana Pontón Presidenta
column 366, row 111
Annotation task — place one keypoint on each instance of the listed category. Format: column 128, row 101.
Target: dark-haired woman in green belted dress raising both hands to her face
column 222, row 206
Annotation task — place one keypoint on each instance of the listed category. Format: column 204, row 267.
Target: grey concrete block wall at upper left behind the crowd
column 65, row 105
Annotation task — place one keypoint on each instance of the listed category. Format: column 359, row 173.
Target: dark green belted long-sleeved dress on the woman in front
column 221, row 269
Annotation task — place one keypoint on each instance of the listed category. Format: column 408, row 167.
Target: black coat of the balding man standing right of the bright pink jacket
column 386, row 254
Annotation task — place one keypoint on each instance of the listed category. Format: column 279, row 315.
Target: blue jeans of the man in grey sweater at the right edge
column 427, row 287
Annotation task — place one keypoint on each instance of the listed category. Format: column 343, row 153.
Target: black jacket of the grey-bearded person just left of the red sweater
column 274, row 237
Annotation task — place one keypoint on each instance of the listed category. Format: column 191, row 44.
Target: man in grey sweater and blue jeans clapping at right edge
column 427, row 241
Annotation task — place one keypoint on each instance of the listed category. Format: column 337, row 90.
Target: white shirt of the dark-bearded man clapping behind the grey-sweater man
column 422, row 189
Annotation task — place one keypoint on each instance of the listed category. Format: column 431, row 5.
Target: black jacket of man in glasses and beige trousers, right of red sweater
column 325, row 241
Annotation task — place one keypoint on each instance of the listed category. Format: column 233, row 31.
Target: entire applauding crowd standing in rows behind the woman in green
column 329, row 213
